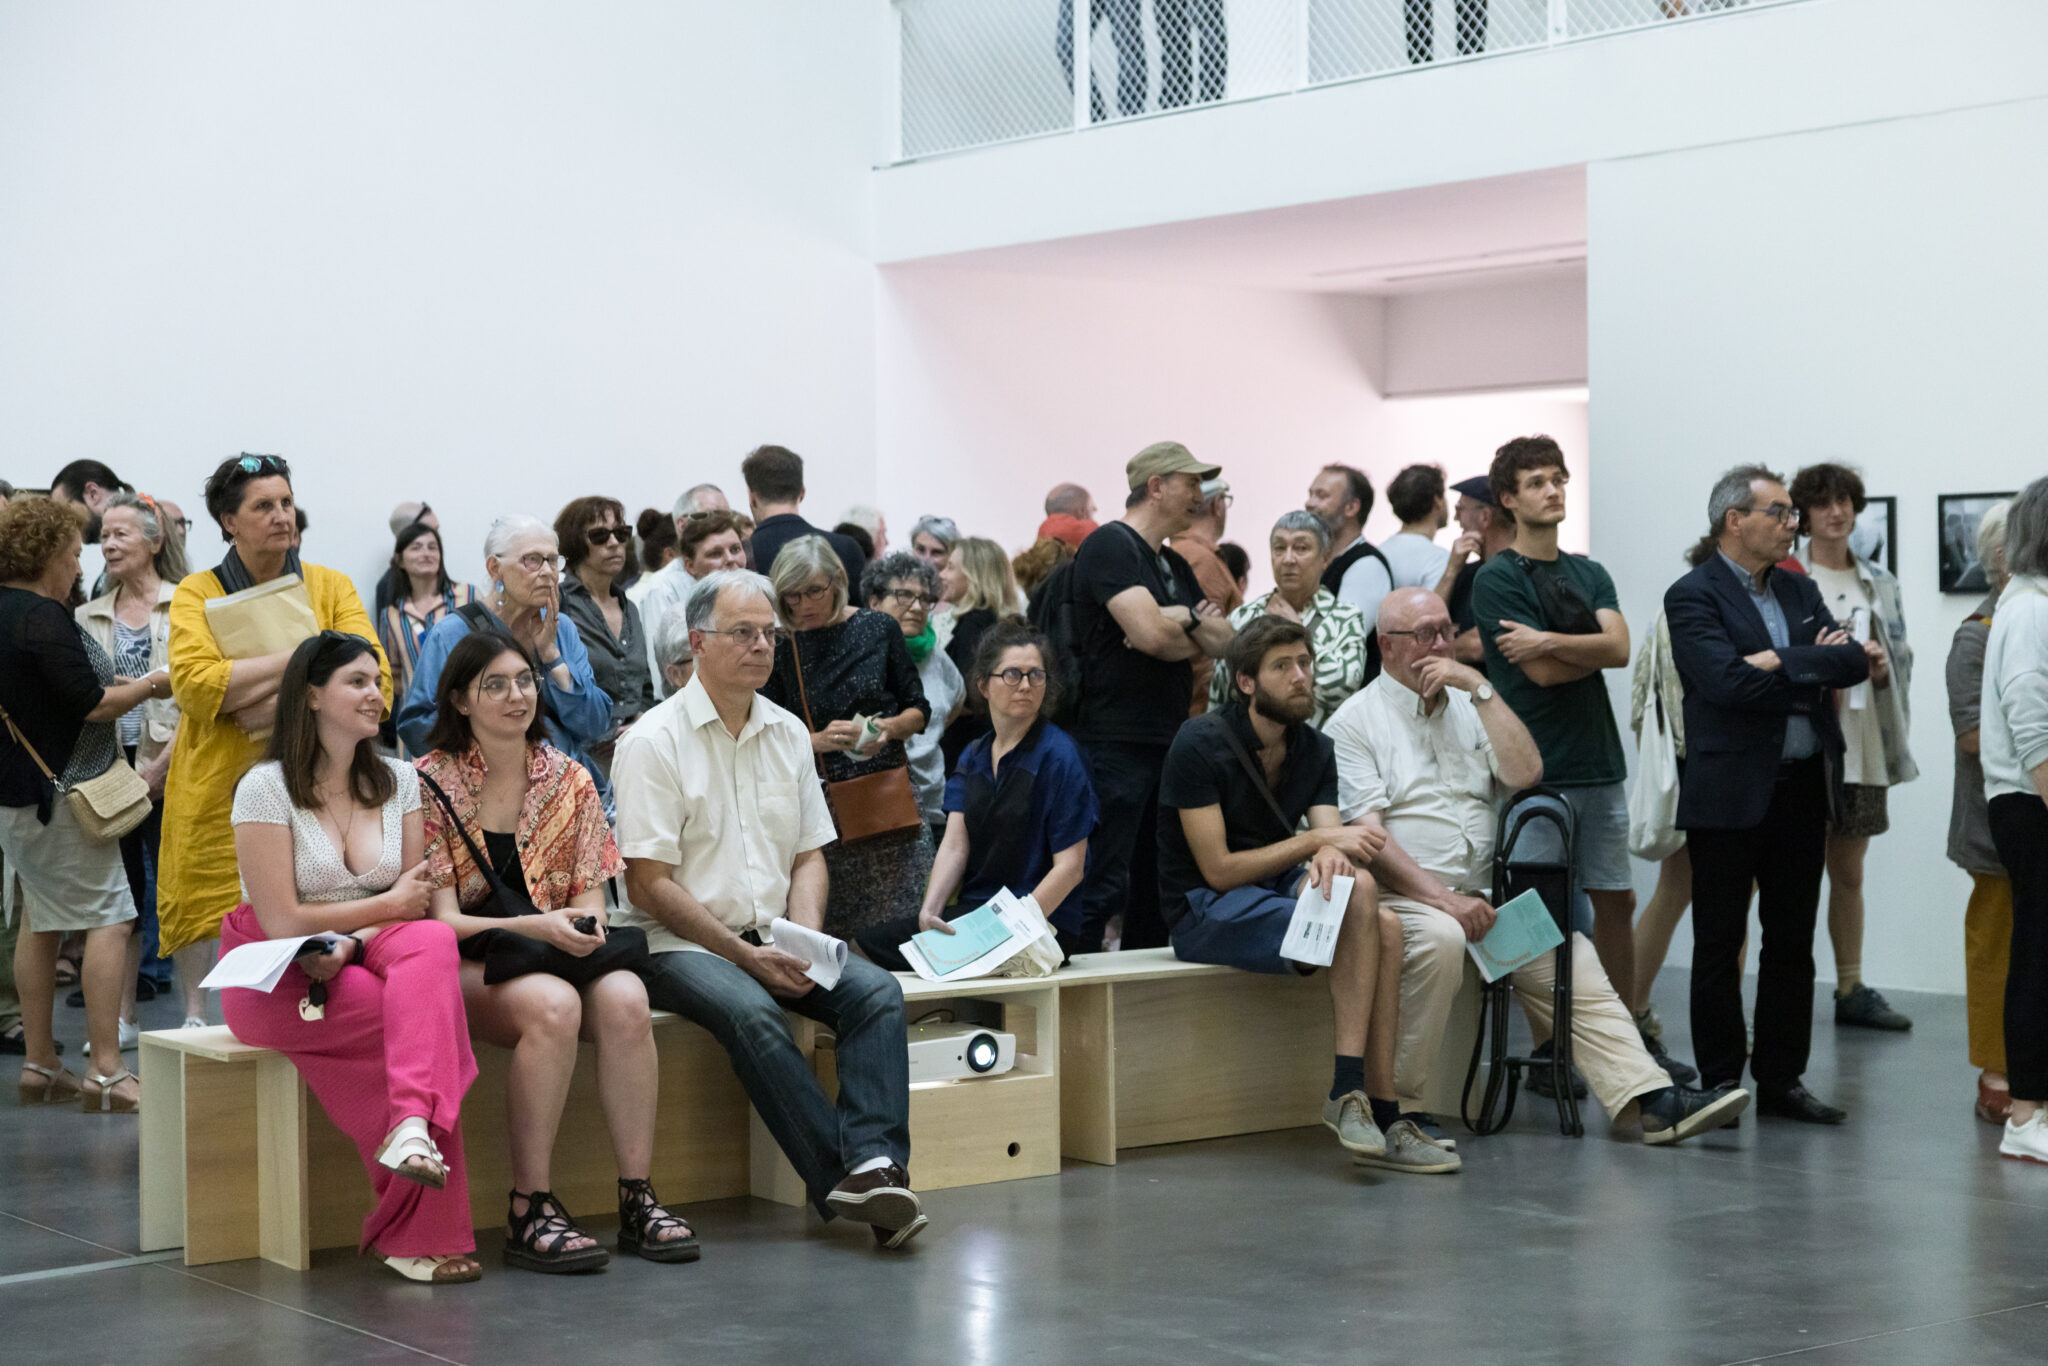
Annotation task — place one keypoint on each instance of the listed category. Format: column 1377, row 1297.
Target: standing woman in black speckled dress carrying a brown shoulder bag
column 849, row 675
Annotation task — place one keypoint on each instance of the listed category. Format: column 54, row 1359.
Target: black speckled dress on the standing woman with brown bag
column 853, row 669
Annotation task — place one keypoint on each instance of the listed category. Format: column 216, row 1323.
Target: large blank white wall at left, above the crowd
column 493, row 255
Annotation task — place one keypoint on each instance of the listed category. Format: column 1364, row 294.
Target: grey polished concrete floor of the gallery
column 1900, row 1238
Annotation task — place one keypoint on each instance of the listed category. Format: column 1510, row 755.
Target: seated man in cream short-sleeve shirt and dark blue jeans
column 722, row 822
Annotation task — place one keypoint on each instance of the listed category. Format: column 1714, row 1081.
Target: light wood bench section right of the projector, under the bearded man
column 1164, row 1052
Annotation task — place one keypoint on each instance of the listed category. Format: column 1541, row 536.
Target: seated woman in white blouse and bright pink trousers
column 331, row 845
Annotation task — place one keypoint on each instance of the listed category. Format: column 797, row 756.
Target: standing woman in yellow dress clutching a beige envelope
column 228, row 706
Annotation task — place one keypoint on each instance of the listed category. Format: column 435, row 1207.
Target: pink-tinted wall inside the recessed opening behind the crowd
column 992, row 388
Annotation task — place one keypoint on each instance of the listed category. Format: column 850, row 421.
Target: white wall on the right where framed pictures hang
column 1867, row 294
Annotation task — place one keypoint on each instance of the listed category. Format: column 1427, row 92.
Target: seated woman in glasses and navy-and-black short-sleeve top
column 1019, row 808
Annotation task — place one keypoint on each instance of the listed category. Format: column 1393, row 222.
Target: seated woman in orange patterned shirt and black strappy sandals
column 536, row 816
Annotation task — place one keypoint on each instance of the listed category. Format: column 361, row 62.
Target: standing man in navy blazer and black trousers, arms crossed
column 1760, row 658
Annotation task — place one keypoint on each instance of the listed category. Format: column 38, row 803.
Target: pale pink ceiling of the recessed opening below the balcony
column 1445, row 237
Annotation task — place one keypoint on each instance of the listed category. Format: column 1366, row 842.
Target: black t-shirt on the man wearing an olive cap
column 1125, row 693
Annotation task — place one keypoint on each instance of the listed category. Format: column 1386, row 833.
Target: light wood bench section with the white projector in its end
column 239, row 1162
